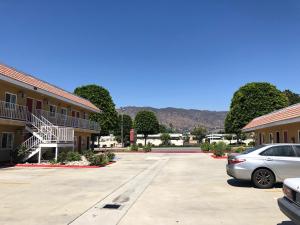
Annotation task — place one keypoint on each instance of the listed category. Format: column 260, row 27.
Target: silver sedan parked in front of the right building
column 266, row 164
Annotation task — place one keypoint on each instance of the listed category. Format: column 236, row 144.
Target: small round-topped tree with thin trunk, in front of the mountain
column 146, row 123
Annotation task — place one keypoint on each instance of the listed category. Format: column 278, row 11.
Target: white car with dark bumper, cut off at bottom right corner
column 290, row 203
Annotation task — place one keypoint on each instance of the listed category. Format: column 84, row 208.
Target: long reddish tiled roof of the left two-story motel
column 30, row 80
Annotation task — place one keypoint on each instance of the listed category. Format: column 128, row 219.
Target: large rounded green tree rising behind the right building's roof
column 250, row 101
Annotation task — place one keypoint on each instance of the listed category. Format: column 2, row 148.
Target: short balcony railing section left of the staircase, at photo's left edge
column 13, row 111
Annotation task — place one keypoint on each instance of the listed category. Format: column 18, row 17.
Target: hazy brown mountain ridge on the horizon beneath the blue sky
column 182, row 119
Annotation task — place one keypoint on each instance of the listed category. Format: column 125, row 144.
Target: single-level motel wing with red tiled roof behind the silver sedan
column 281, row 126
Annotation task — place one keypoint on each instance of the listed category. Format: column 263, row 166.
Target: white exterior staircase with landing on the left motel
column 44, row 133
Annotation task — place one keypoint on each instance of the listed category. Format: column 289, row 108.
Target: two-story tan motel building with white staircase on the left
column 41, row 118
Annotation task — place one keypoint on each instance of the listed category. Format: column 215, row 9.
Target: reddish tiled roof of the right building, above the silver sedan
column 282, row 115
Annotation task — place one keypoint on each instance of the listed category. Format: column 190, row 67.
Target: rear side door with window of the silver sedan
column 283, row 161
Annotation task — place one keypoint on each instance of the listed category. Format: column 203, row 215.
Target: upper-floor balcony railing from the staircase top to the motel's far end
column 67, row 121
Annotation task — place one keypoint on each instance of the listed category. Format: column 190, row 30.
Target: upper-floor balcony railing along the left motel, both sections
column 21, row 113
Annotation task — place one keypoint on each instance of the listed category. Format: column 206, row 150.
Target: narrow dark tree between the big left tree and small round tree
column 127, row 126
